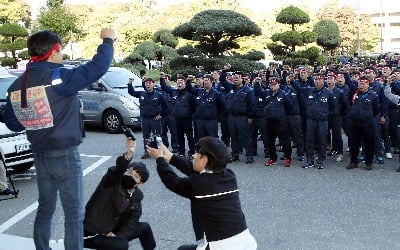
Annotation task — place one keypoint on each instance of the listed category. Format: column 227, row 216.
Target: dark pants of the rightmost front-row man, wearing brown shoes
column 362, row 131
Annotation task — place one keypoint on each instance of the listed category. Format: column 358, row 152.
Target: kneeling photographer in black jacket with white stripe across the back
column 213, row 191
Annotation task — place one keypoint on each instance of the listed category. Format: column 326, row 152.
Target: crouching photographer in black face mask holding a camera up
column 113, row 211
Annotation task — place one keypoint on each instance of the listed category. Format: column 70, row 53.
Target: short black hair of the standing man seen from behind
column 41, row 42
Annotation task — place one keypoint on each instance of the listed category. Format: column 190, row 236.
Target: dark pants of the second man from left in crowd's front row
column 184, row 127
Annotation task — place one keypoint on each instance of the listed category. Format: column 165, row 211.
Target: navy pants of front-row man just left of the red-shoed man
column 239, row 129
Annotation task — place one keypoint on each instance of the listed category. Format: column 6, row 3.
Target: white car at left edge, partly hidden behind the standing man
column 15, row 149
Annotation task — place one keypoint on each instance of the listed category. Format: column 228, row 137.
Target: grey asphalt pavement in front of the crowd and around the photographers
column 285, row 208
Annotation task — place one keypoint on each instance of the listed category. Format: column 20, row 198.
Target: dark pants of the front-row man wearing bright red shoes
column 278, row 129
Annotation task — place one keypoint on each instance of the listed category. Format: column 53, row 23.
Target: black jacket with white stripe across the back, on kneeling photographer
column 216, row 209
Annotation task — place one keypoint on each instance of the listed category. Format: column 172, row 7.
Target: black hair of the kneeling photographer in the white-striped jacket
column 216, row 151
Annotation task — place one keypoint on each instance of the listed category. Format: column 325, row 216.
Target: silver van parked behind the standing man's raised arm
column 107, row 102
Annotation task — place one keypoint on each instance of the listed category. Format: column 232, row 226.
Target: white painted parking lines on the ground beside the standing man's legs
column 18, row 217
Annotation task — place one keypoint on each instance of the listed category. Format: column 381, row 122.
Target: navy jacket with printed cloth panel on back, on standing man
column 52, row 119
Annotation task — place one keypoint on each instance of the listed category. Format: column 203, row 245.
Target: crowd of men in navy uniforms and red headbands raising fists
column 305, row 107
